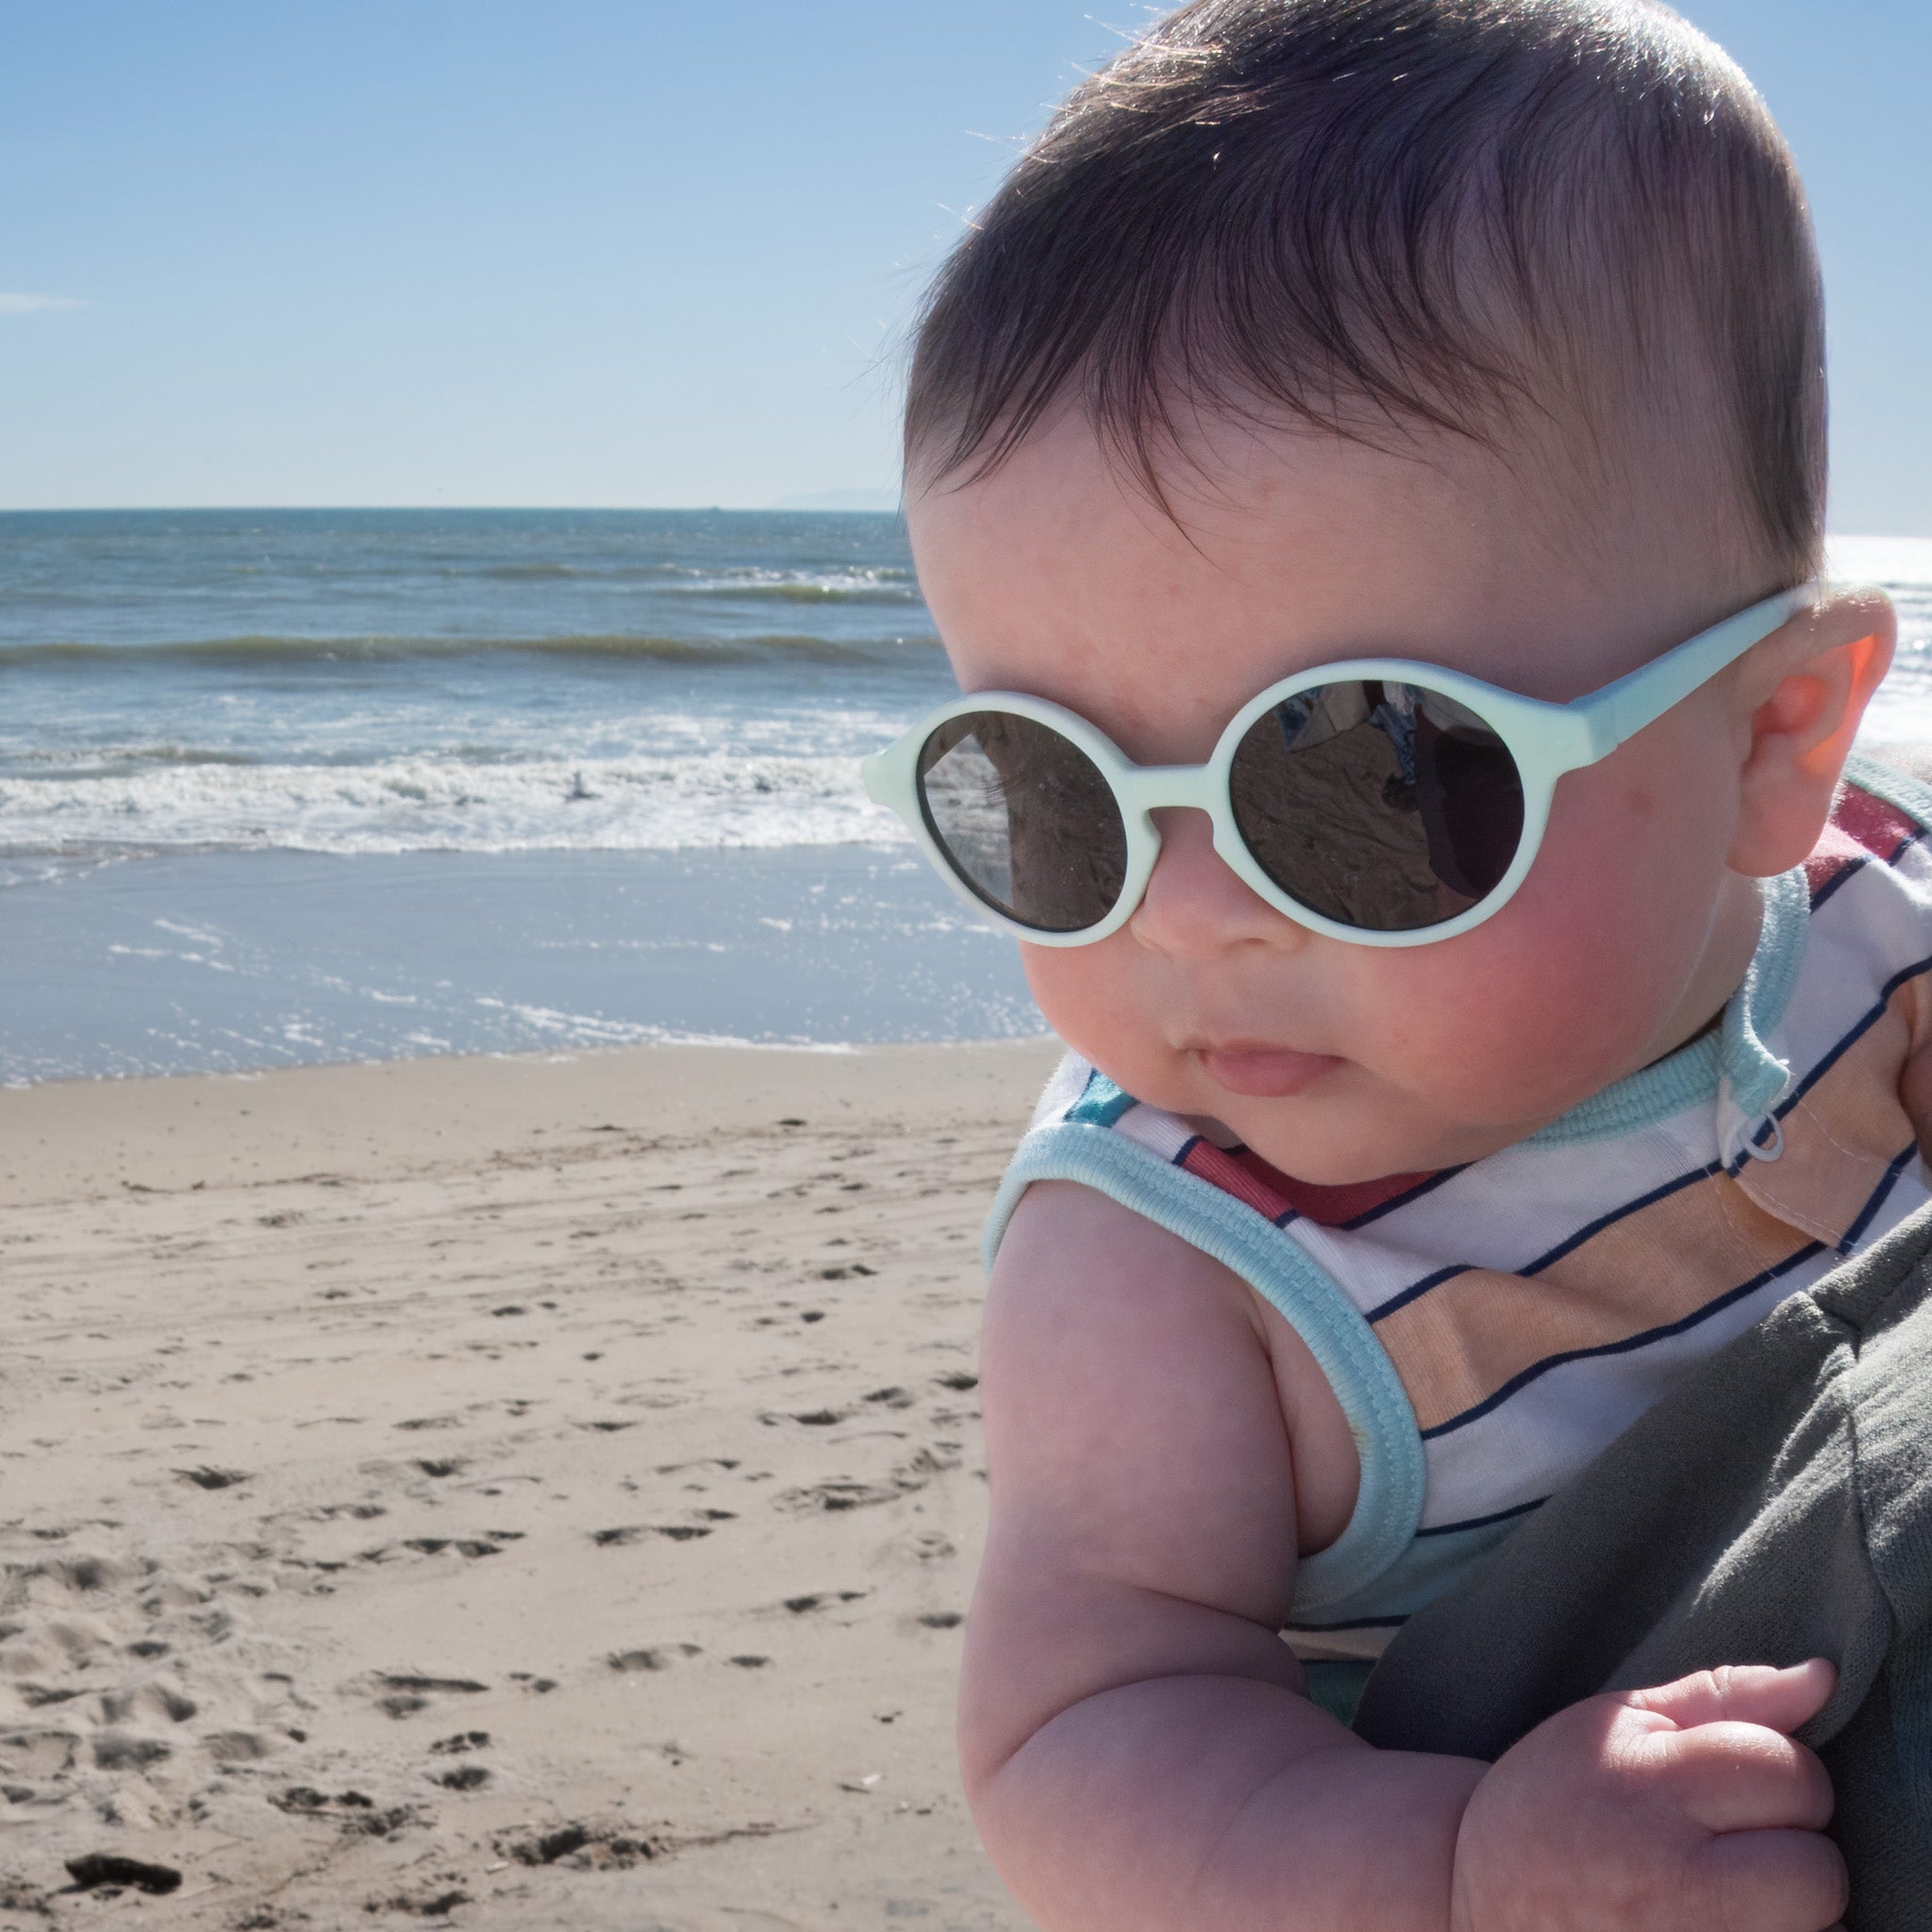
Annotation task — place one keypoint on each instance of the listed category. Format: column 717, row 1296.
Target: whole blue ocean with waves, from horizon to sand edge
column 308, row 785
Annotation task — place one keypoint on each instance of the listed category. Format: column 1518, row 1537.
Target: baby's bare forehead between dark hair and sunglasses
column 1062, row 577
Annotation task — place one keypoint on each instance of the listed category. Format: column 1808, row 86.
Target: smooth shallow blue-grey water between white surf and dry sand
column 241, row 961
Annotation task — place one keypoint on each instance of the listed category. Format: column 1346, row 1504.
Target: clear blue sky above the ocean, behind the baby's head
column 642, row 252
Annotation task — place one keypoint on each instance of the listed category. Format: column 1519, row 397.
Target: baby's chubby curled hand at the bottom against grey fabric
column 1684, row 1809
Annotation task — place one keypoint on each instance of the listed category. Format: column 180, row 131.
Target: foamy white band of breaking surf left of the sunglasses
column 426, row 805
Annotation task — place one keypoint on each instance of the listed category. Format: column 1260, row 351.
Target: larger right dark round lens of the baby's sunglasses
column 1377, row 805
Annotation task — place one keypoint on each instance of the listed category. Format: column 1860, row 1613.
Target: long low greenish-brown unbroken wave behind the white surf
column 376, row 650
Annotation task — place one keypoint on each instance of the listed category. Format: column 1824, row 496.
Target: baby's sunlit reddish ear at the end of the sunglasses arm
column 1805, row 691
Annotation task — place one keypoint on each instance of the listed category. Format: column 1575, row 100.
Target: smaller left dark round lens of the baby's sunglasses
column 1025, row 818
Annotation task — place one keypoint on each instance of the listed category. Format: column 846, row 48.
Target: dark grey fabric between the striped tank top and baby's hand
column 1775, row 1508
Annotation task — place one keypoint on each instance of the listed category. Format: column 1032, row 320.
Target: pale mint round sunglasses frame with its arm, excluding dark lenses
column 1545, row 739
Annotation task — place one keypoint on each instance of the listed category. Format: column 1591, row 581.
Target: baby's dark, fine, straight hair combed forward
column 1440, row 213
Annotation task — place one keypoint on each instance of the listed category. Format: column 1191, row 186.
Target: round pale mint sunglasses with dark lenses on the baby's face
column 1377, row 801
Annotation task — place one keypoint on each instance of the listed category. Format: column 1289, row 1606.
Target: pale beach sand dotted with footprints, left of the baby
column 497, row 1492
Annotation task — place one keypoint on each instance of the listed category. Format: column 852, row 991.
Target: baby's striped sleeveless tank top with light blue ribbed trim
column 1491, row 1328
